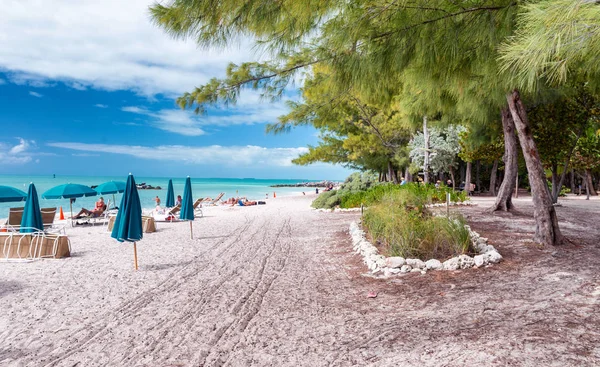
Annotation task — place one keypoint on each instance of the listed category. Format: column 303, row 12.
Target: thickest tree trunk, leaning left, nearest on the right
column 547, row 231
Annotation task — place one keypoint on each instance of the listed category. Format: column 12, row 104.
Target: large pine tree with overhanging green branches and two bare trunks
column 432, row 56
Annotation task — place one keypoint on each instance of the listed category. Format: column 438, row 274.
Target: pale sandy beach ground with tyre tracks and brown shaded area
column 278, row 285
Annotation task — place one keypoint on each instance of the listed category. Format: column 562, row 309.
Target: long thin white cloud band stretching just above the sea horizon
column 209, row 155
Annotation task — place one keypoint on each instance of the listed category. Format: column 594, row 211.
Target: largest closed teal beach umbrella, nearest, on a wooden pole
column 128, row 224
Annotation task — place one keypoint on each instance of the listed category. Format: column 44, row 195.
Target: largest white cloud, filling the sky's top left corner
column 108, row 44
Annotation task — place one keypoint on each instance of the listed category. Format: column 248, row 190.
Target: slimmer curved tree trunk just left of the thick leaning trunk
column 511, row 153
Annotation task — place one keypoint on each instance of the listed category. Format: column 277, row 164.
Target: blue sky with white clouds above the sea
column 89, row 88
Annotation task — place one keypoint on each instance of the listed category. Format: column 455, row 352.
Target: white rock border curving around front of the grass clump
column 388, row 266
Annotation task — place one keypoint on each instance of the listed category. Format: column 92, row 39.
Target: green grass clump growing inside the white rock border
column 405, row 228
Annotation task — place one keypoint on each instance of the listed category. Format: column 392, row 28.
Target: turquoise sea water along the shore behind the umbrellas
column 201, row 187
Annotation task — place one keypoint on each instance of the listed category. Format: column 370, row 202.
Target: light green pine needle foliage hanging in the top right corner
column 555, row 39
